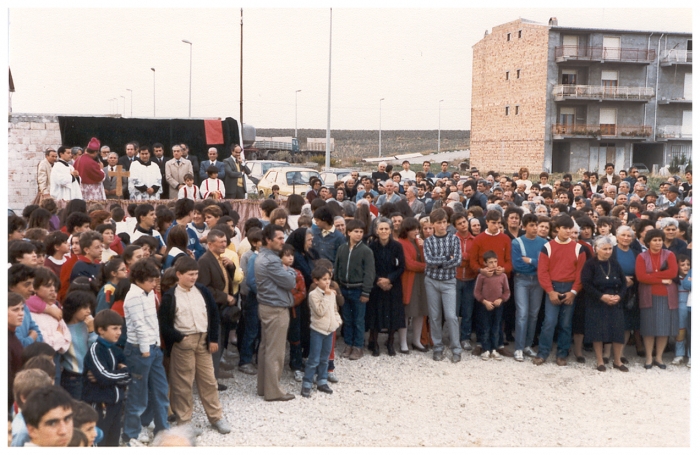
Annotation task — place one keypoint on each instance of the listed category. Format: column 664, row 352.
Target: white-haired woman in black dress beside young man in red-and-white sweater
column 605, row 284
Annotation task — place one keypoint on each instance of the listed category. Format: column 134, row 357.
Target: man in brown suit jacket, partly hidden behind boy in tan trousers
column 216, row 273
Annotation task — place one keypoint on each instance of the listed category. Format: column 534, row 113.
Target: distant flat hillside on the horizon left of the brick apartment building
column 353, row 144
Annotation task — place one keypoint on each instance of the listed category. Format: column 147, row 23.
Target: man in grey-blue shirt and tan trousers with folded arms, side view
column 275, row 282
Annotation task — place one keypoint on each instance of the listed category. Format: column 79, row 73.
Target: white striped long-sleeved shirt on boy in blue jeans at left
column 141, row 318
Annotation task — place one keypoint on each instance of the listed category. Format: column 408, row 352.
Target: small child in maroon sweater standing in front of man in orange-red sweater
column 491, row 290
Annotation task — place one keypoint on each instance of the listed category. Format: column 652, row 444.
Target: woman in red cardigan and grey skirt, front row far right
column 658, row 296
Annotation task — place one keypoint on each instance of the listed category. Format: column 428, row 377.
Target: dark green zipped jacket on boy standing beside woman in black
column 355, row 269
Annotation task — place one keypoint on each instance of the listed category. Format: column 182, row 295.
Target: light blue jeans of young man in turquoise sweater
column 528, row 298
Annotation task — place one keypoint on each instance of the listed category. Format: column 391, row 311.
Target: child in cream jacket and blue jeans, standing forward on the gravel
column 324, row 321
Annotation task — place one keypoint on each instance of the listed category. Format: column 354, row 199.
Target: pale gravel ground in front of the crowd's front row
column 411, row 400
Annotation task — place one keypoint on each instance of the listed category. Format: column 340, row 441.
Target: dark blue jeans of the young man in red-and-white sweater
column 556, row 316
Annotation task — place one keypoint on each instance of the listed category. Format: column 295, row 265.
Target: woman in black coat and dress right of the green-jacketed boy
column 385, row 307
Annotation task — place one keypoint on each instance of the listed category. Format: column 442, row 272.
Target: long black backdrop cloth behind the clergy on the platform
column 117, row 132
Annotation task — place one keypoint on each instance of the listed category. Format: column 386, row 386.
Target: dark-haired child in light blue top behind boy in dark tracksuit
column 76, row 313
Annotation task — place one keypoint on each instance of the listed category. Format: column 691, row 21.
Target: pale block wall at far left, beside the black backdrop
column 28, row 137
